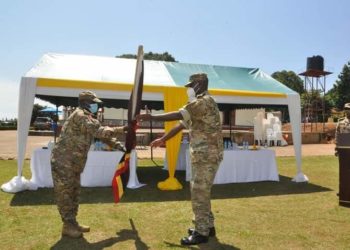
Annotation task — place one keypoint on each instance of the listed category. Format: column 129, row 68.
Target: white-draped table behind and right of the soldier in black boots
column 244, row 166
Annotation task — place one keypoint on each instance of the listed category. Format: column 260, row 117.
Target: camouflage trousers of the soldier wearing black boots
column 203, row 174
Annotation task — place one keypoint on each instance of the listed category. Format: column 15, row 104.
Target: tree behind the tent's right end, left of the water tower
column 290, row 79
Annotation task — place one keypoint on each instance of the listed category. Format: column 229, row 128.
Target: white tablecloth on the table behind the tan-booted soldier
column 99, row 169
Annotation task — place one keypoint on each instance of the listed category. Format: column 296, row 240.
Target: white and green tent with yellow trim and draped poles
column 58, row 78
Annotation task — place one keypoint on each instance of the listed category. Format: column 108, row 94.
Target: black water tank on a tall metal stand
column 315, row 87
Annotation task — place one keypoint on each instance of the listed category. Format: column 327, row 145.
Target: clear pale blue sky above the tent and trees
column 273, row 35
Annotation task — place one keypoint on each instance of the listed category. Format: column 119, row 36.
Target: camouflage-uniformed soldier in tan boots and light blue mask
column 69, row 156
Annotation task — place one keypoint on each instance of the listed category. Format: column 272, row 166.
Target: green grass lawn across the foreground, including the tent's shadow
column 264, row 215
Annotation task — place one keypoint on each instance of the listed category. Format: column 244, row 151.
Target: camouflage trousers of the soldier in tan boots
column 67, row 190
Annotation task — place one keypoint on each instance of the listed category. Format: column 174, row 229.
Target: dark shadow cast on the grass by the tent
column 152, row 175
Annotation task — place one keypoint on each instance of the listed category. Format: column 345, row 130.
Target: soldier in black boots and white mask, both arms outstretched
column 201, row 116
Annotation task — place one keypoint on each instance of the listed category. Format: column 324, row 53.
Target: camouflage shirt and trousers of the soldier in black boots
column 206, row 150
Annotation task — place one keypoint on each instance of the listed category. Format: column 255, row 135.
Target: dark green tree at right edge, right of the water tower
column 340, row 93
